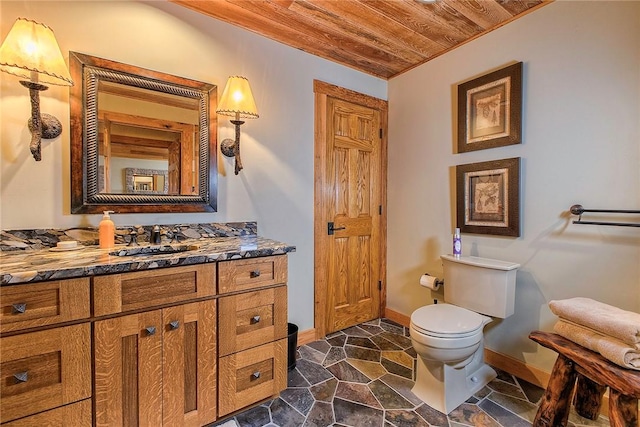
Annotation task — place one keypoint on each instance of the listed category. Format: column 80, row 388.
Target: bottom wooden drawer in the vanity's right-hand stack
column 252, row 375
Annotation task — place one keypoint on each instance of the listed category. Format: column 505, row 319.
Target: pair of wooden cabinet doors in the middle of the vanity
column 157, row 368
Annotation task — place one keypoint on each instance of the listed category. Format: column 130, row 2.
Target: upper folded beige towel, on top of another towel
column 603, row 318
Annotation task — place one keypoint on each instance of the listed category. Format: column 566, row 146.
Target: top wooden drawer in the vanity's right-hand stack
column 245, row 274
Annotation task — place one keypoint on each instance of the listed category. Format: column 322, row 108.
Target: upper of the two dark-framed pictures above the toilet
column 490, row 110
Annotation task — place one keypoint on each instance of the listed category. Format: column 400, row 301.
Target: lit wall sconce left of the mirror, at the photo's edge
column 31, row 52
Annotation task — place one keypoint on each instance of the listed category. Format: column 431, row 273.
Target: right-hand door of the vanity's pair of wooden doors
column 189, row 364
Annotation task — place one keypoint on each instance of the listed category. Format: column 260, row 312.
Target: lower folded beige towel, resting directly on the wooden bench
column 610, row 348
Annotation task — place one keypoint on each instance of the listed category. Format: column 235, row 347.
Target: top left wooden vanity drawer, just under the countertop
column 48, row 303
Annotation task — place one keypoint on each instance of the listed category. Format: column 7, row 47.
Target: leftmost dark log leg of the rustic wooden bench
column 556, row 402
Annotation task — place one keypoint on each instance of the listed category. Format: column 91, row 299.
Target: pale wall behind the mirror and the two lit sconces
column 276, row 186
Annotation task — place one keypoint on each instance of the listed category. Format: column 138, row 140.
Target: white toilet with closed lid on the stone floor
column 449, row 337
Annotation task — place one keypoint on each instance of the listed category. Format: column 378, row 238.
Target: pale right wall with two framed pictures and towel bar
column 581, row 144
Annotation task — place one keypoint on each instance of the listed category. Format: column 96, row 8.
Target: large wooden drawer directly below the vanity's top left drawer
column 44, row 370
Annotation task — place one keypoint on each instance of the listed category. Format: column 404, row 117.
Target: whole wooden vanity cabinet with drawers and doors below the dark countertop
column 177, row 346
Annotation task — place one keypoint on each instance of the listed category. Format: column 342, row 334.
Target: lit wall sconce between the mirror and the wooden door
column 236, row 101
